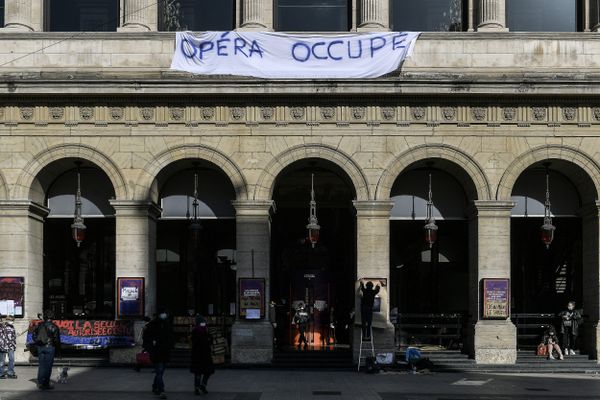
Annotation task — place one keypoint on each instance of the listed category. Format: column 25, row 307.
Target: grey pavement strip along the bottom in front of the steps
column 121, row 383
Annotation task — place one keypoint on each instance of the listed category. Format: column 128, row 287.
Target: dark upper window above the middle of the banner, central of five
column 312, row 15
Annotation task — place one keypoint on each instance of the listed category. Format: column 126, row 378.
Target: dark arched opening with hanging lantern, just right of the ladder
column 429, row 288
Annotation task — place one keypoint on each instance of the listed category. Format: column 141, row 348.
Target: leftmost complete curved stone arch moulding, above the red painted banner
column 44, row 158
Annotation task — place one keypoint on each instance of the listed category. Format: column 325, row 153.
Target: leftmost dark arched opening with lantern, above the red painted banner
column 78, row 279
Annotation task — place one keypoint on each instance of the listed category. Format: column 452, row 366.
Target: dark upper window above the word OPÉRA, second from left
column 197, row 15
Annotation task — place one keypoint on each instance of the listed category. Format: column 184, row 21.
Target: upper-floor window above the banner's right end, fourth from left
column 428, row 15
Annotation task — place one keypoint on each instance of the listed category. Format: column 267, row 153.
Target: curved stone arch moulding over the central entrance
column 266, row 182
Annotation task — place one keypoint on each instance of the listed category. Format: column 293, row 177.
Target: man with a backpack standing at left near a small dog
column 46, row 337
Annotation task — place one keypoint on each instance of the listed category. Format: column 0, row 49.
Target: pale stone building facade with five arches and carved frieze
column 486, row 105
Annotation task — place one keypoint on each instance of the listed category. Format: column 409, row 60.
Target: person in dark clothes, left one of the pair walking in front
column 158, row 341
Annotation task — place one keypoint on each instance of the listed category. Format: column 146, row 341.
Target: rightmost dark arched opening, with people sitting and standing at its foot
column 546, row 278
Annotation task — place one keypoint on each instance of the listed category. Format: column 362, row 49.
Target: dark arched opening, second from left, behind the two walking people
column 195, row 251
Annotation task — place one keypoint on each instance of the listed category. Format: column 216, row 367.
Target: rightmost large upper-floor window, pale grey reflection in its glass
column 543, row 15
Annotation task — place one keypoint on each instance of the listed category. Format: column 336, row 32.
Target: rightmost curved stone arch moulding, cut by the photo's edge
column 550, row 152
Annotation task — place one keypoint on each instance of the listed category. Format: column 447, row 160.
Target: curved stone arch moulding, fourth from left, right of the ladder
column 467, row 164
